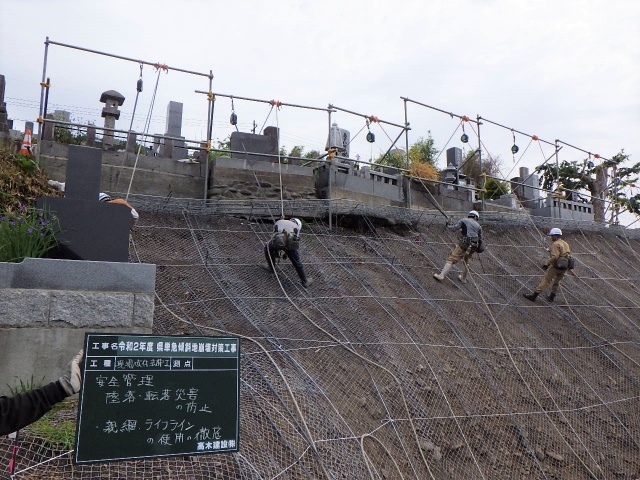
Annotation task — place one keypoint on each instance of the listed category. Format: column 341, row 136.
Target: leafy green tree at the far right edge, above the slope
column 572, row 177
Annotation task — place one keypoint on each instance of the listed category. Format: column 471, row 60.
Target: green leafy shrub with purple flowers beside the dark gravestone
column 29, row 232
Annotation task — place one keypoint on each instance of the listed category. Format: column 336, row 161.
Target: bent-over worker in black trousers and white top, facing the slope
column 286, row 238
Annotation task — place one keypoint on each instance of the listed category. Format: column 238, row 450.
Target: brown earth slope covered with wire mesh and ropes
column 380, row 371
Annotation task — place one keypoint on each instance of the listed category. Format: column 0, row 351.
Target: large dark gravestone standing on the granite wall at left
column 90, row 230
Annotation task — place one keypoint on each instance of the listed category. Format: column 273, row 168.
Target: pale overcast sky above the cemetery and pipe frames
column 567, row 70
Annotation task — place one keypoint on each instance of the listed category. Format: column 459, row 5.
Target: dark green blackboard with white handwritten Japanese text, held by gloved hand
column 150, row 396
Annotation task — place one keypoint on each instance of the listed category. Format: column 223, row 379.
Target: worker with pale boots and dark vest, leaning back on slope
column 469, row 242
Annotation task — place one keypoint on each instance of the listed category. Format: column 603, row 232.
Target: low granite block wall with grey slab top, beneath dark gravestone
column 47, row 305
